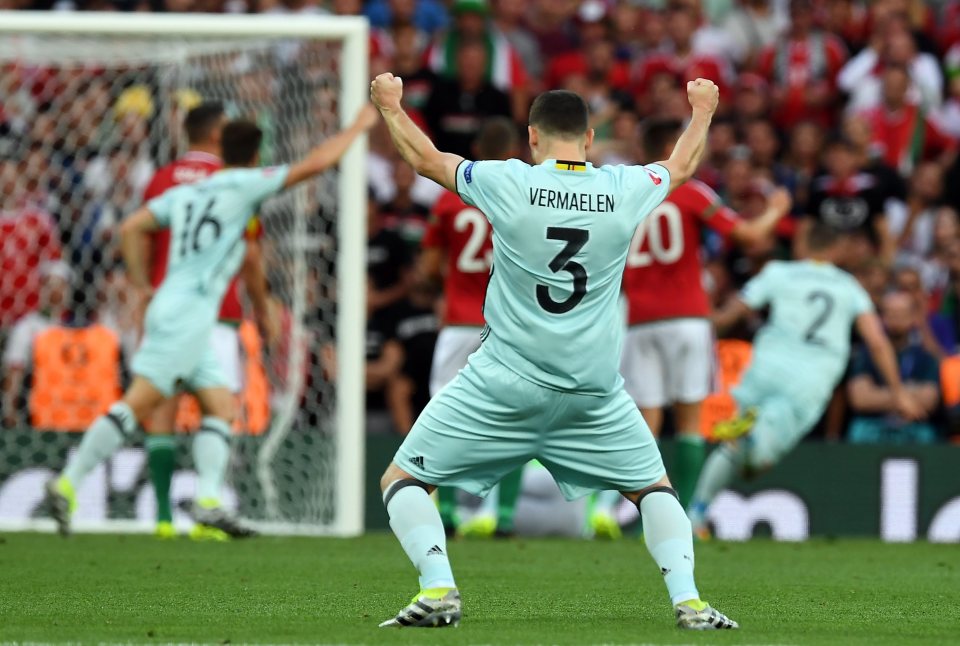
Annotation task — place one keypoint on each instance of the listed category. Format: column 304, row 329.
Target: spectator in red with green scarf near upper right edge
column 903, row 134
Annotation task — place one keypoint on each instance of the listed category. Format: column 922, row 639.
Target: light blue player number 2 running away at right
column 798, row 358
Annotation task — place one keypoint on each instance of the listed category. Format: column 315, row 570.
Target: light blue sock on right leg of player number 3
column 667, row 533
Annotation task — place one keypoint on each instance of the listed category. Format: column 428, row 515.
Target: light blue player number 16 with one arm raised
column 207, row 222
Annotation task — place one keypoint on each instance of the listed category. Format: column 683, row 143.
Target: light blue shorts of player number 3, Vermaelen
column 489, row 421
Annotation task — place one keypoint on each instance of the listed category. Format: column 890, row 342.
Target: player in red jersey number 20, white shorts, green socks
column 668, row 350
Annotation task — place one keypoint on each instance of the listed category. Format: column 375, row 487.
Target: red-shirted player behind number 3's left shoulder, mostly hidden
column 458, row 248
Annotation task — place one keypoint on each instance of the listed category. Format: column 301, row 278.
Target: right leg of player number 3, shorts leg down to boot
column 623, row 454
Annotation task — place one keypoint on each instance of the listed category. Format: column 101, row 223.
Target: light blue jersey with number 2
column 813, row 308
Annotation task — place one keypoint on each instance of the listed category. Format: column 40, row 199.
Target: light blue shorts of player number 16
column 176, row 351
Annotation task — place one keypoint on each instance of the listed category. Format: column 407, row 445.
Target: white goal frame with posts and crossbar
column 353, row 32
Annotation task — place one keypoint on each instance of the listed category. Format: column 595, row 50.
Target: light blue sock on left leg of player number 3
column 416, row 522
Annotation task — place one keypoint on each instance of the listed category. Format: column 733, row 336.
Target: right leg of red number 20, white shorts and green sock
column 688, row 346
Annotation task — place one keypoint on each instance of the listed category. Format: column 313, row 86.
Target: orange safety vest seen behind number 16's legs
column 253, row 411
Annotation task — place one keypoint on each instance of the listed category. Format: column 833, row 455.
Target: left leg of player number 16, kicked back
column 102, row 439
